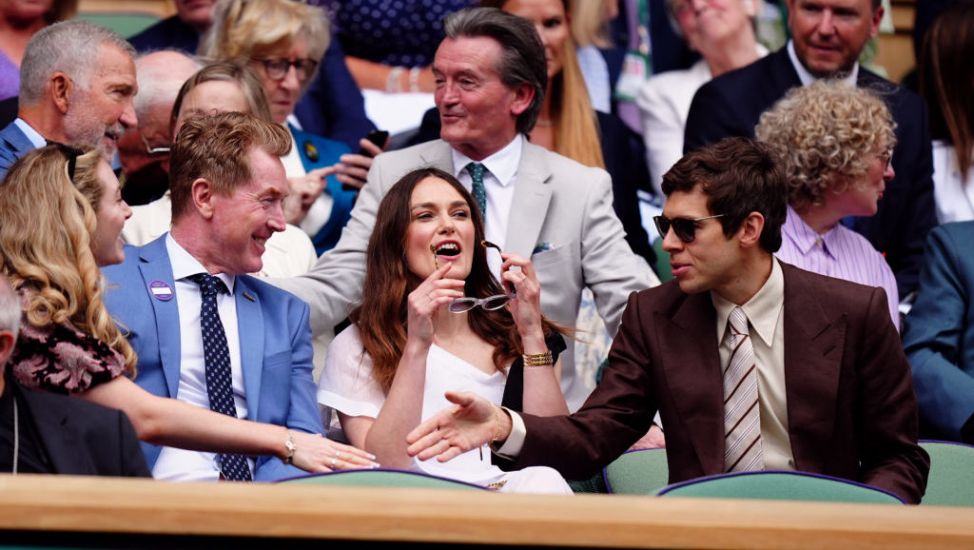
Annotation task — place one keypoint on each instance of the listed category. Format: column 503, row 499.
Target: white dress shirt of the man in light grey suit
column 499, row 182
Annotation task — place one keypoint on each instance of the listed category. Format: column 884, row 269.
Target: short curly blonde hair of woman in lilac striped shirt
column 824, row 134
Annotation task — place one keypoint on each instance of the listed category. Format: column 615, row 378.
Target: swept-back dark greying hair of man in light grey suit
column 523, row 59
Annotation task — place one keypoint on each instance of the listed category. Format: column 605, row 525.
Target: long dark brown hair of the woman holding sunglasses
column 381, row 318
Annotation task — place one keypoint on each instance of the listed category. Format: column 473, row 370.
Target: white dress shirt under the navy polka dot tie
column 180, row 464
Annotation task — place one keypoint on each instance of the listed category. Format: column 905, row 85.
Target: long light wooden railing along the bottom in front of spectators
column 61, row 510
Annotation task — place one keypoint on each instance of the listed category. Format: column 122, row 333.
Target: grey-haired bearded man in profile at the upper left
column 77, row 81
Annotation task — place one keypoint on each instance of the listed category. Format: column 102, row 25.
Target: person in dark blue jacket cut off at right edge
column 939, row 335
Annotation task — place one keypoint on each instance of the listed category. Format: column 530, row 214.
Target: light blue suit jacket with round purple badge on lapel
column 275, row 345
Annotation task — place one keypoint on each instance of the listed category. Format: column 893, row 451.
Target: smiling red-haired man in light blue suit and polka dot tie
column 205, row 332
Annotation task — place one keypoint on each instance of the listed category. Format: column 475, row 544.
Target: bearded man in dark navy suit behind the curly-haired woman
column 828, row 36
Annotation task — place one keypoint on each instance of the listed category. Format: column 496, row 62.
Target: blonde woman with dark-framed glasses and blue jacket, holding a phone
column 283, row 42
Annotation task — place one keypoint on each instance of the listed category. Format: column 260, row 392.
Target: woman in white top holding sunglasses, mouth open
column 433, row 318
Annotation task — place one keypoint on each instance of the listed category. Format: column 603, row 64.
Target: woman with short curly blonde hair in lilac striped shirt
column 835, row 143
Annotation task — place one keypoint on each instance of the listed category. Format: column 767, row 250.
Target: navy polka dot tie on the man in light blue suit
column 216, row 356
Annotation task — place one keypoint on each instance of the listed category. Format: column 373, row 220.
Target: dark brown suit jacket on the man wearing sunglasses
column 851, row 408
